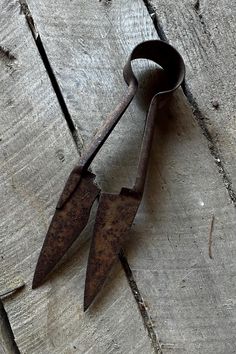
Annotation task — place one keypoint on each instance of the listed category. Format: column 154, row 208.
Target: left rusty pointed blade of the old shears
column 66, row 225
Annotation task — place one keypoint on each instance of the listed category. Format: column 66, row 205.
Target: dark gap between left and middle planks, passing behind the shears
column 79, row 144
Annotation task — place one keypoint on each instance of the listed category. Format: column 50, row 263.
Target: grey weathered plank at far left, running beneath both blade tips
column 37, row 153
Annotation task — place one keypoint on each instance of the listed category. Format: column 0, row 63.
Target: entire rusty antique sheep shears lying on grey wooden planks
column 116, row 212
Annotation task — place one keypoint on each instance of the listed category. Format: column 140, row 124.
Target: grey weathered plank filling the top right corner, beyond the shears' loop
column 204, row 33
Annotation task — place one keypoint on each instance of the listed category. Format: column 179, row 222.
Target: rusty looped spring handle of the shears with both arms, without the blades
column 171, row 61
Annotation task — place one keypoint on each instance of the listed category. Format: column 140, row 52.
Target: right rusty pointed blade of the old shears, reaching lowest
column 114, row 218
